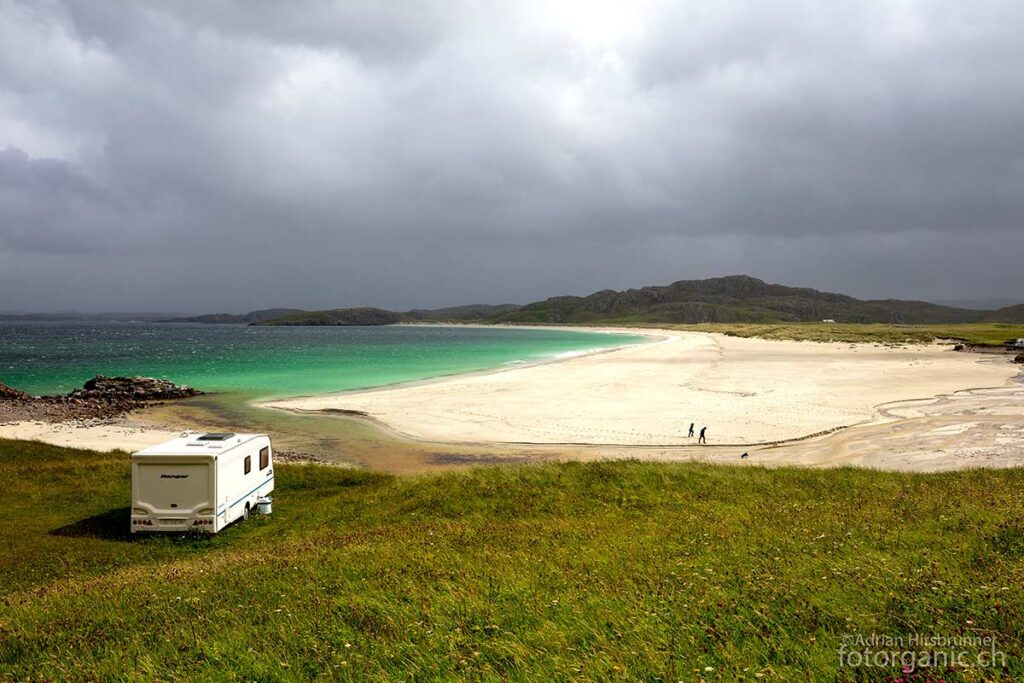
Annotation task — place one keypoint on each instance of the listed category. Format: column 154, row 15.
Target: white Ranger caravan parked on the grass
column 200, row 483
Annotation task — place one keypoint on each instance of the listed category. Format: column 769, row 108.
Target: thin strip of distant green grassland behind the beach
column 984, row 334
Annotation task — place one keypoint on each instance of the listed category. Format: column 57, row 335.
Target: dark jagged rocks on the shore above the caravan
column 102, row 398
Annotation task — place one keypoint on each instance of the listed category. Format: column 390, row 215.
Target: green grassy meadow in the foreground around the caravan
column 587, row 572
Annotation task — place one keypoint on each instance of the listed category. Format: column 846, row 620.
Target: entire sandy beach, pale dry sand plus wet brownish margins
column 804, row 404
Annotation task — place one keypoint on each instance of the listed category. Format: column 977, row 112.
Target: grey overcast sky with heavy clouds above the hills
column 205, row 156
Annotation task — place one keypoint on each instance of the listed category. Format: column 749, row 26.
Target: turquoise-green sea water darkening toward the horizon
column 56, row 358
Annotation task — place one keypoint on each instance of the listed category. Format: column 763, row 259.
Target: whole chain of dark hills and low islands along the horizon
column 732, row 300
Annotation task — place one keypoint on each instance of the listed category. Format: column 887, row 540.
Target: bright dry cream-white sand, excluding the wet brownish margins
column 746, row 391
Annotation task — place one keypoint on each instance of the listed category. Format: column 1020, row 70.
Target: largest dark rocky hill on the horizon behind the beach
column 741, row 300
